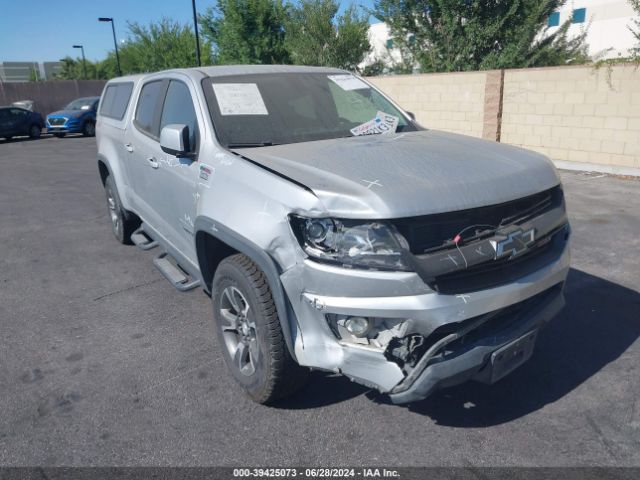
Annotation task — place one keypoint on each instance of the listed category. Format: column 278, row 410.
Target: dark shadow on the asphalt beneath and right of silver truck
column 599, row 323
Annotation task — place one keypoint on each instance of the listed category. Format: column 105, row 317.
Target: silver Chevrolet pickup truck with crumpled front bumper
column 331, row 230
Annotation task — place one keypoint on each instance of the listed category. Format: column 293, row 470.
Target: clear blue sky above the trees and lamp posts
column 39, row 30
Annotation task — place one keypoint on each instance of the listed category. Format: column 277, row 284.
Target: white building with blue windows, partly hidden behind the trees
column 606, row 22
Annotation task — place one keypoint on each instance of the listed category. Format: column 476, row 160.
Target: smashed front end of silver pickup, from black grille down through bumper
column 478, row 286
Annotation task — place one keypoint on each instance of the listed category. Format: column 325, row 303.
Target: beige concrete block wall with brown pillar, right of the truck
column 575, row 115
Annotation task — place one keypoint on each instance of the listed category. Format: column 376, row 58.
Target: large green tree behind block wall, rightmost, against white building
column 455, row 35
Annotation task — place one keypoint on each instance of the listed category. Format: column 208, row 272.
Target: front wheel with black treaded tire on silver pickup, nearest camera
column 275, row 374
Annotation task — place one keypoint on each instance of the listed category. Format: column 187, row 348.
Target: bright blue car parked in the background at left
column 77, row 117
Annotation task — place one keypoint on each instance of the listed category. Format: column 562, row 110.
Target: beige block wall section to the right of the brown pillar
column 575, row 114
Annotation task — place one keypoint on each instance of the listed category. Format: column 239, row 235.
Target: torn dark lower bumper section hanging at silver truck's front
column 484, row 349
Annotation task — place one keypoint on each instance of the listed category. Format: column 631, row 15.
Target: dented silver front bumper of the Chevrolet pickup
column 316, row 291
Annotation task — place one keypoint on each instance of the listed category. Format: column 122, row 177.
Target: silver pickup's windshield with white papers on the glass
column 272, row 109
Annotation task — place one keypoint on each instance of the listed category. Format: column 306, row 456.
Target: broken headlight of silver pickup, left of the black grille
column 353, row 243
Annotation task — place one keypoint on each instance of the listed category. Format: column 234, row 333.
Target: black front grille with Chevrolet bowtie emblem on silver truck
column 472, row 263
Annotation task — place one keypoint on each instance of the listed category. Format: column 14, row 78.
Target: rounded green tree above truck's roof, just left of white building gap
column 317, row 36
